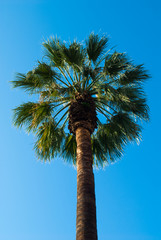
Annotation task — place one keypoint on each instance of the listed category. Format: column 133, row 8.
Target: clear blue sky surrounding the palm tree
column 38, row 200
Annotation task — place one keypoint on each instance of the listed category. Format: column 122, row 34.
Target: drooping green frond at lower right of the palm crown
column 115, row 135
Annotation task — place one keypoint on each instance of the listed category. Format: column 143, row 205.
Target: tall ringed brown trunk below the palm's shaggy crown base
column 86, row 228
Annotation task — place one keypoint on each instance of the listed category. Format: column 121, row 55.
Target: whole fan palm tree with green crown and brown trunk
column 99, row 95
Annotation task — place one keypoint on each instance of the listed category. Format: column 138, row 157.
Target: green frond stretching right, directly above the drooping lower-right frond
column 125, row 98
